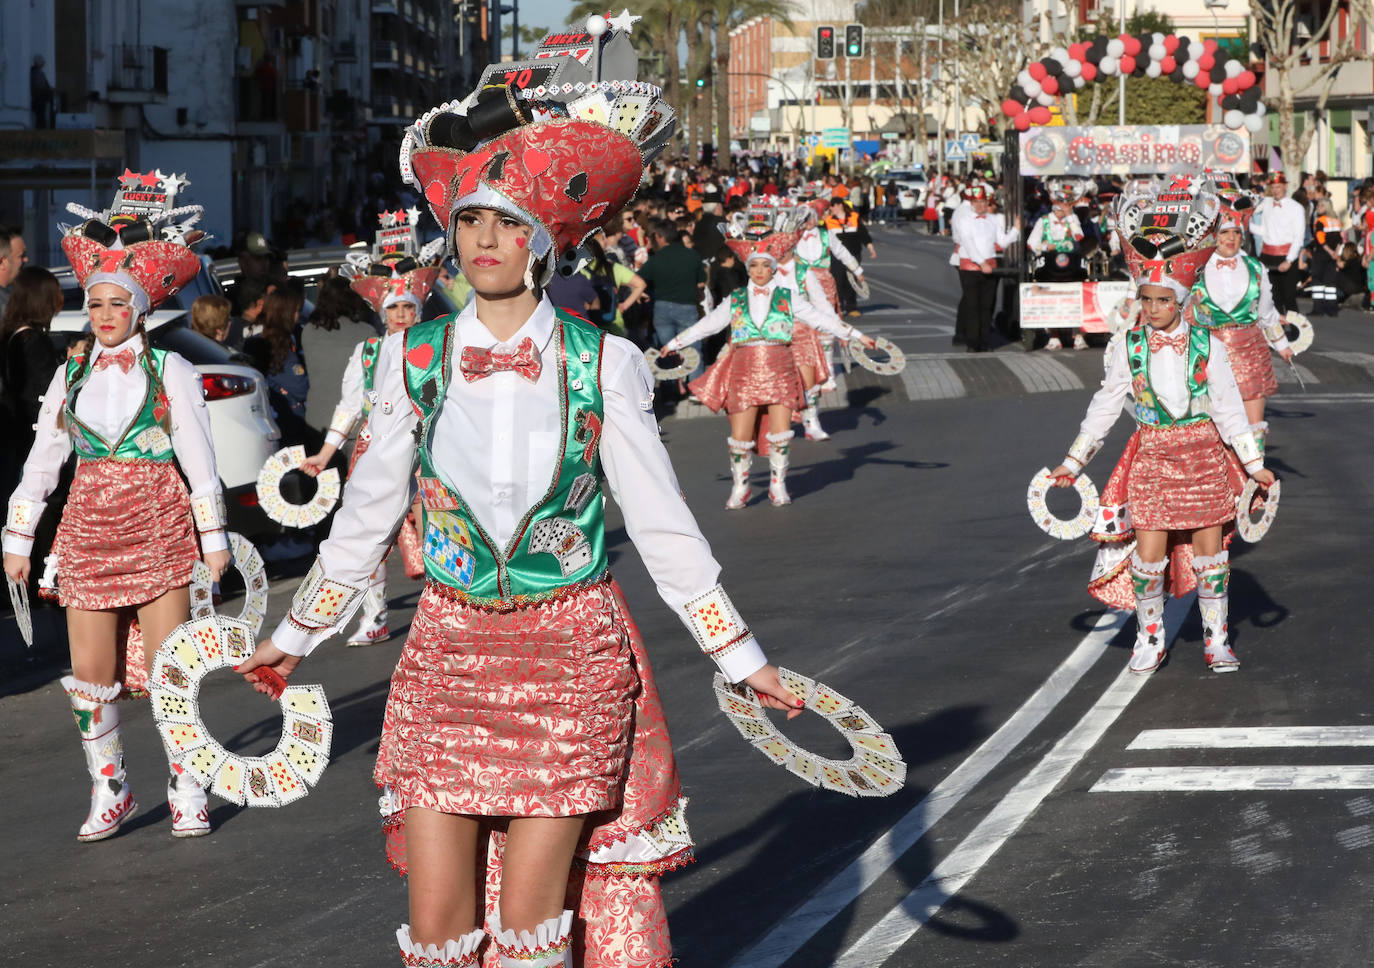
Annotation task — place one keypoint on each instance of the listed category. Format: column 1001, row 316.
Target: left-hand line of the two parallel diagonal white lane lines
column 842, row 890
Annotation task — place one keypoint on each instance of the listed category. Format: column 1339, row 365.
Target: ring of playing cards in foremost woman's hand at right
column 876, row 768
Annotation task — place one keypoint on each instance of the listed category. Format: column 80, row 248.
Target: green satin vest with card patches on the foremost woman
column 561, row 542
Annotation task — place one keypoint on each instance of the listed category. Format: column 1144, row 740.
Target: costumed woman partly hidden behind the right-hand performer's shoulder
column 1233, row 300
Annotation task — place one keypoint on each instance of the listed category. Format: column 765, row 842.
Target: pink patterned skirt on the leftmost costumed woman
column 126, row 536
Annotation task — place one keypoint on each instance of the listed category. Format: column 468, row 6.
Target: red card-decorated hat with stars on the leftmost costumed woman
column 142, row 242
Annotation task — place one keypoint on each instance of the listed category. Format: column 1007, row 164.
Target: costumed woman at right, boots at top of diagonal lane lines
column 1169, row 509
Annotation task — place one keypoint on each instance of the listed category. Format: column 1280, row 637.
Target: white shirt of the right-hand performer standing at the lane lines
column 1169, row 380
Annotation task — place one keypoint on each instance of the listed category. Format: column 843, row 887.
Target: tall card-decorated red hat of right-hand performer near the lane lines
column 1169, row 233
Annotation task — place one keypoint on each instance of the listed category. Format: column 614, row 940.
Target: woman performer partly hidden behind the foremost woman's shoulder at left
column 395, row 281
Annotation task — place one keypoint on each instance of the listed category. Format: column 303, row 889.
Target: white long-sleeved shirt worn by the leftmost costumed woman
column 108, row 404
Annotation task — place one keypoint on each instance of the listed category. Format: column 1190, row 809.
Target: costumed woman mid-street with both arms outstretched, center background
column 756, row 378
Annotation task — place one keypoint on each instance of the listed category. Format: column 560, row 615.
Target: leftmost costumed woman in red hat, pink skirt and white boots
column 127, row 543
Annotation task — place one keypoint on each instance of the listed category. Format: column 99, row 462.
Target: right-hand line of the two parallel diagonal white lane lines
column 899, row 925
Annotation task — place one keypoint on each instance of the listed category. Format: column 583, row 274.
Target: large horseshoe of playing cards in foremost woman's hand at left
column 282, row 776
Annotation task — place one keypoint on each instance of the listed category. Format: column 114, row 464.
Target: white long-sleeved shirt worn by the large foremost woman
column 497, row 440
